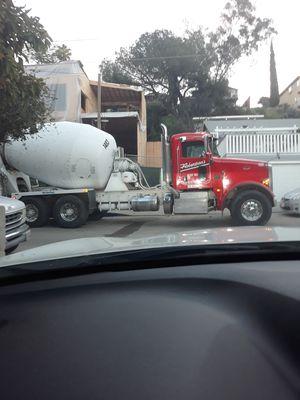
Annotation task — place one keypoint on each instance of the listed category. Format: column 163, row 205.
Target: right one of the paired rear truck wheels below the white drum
column 77, row 208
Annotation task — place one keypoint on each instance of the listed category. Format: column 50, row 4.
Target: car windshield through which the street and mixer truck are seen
column 140, row 125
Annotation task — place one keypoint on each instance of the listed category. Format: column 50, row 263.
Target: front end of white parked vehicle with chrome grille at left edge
column 16, row 229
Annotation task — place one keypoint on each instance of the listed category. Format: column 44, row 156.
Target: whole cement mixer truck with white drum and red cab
column 80, row 172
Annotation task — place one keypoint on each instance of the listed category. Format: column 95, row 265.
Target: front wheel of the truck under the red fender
column 252, row 204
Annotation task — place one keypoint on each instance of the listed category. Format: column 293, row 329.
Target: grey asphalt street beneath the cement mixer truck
column 143, row 225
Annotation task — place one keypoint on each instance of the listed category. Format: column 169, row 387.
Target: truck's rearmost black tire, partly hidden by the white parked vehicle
column 40, row 207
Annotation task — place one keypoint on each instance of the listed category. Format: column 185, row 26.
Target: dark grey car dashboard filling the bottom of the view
column 227, row 331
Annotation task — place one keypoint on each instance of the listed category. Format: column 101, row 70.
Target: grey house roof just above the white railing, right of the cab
column 212, row 125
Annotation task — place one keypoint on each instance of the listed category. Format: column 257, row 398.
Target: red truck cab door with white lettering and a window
column 194, row 165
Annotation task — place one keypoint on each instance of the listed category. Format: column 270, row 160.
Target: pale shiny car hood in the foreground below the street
column 106, row 245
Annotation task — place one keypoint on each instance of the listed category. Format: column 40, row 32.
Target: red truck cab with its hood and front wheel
column 242, row 186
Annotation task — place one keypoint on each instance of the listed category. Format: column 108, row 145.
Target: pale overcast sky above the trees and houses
column 95, row 30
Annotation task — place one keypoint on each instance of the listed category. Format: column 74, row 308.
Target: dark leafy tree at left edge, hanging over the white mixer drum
column 22, row 106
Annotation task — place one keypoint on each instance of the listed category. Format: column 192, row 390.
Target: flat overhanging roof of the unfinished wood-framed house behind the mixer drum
column 114, row 93
